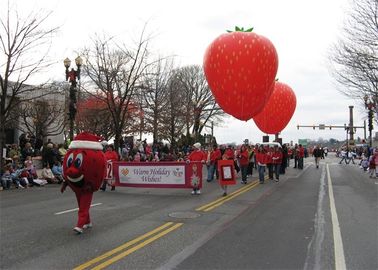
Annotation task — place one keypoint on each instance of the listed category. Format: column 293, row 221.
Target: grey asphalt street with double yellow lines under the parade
column 322, row 218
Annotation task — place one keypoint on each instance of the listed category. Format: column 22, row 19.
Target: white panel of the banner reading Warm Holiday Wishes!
column 152, row 174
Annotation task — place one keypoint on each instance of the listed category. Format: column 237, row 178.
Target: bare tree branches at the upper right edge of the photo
column 354, row 57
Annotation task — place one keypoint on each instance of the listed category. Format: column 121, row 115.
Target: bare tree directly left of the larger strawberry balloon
column 200, row 105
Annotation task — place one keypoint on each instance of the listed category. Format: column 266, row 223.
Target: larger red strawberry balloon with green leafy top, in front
column 240, row 68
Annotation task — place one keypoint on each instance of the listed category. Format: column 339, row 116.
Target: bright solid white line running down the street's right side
column 337, row 240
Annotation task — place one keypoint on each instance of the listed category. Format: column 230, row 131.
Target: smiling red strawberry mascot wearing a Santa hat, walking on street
column 84, row 168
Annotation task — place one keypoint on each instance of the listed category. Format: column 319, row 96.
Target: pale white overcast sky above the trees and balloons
column 301, row 31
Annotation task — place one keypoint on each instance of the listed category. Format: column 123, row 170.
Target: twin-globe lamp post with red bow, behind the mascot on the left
column 72, row 76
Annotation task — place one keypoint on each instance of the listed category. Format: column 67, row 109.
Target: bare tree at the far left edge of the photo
column 24, row 45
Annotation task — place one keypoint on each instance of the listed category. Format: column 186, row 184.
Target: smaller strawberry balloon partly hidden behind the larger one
column 278, row 110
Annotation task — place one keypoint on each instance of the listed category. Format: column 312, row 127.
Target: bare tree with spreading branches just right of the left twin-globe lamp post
column 117, row 71
